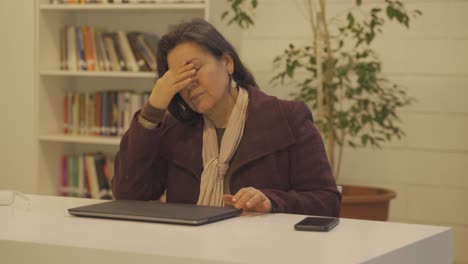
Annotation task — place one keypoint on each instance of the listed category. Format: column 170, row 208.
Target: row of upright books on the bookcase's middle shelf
column 101, row 113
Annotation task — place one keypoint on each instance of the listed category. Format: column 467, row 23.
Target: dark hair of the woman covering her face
column 209, row 38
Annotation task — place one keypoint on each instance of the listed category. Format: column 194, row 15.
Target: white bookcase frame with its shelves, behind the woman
column 52, row 83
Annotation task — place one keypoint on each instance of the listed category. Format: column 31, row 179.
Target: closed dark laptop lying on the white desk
column 155, row 211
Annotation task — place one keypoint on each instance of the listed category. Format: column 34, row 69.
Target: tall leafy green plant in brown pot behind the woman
column 353, row 103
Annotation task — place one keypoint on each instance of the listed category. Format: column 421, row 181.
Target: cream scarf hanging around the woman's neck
column 216, row 162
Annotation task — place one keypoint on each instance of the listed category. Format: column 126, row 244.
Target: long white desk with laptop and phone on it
column 46, row 233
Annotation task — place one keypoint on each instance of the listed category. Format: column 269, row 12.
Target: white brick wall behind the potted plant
column 429, row 168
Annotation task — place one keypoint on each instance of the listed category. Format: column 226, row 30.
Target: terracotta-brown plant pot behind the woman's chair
column 368, row 203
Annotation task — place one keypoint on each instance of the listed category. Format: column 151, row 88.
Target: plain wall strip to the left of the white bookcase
column 17, row 140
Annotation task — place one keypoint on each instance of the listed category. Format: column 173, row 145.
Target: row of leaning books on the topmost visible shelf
column 86, row 48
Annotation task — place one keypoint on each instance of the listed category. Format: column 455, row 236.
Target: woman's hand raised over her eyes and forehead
column 173, row 81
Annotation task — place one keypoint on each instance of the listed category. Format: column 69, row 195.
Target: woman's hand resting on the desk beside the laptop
column 249, row 199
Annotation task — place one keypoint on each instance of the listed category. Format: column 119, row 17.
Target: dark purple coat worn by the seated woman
column 281, row 153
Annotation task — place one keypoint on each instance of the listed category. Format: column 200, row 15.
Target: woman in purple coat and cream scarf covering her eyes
column 224, row 141
